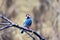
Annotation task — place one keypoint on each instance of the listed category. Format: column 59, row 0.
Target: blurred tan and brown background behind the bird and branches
column 44, row 13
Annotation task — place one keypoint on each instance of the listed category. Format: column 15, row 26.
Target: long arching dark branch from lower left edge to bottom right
column 17, row 26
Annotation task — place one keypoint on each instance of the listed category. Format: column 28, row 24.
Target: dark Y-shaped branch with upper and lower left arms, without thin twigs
column 19, row 27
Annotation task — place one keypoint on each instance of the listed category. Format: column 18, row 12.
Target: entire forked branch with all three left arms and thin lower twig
column 11, row 24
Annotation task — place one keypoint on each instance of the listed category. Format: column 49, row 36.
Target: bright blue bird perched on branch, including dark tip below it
column 27, row 22
